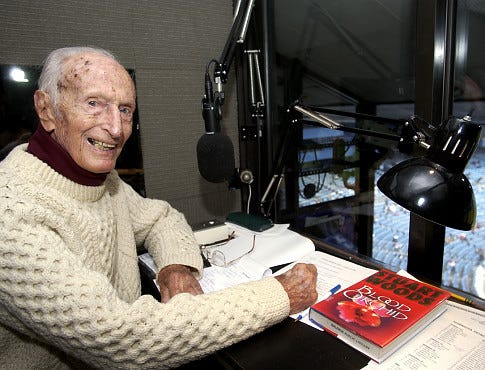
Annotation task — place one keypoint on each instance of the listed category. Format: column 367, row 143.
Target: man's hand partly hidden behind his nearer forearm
column 175, row 279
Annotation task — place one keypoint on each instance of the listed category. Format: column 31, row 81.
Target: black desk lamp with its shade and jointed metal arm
column 432, row 186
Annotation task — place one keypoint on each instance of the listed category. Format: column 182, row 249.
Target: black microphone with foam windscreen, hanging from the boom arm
column 215, row 152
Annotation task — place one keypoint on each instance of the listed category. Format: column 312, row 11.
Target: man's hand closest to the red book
column 300, row 284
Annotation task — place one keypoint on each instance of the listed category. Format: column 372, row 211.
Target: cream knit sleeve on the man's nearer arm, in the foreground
column 50, row 295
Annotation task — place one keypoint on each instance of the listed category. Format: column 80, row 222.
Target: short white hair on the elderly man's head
column 52, row 71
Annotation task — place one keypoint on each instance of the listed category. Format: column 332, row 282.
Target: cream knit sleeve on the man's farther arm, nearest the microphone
column 160, row 228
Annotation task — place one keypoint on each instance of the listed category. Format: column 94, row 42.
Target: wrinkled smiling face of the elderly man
column 96, row 105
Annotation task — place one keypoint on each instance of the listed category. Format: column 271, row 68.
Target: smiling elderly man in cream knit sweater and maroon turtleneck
column 69, row 227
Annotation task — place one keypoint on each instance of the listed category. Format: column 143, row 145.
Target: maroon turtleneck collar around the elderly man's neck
column 44, row 147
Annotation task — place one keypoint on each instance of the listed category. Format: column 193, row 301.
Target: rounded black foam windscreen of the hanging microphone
column 215, row 157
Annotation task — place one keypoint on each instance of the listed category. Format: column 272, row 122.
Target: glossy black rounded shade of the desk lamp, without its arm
column 434, row 187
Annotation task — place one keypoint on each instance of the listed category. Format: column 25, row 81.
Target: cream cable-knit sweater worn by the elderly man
column 70, row 286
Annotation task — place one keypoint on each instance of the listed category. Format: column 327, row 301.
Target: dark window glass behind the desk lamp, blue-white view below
column 327, row 54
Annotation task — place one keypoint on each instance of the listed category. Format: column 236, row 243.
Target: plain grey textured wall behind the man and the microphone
column 168, row 44
